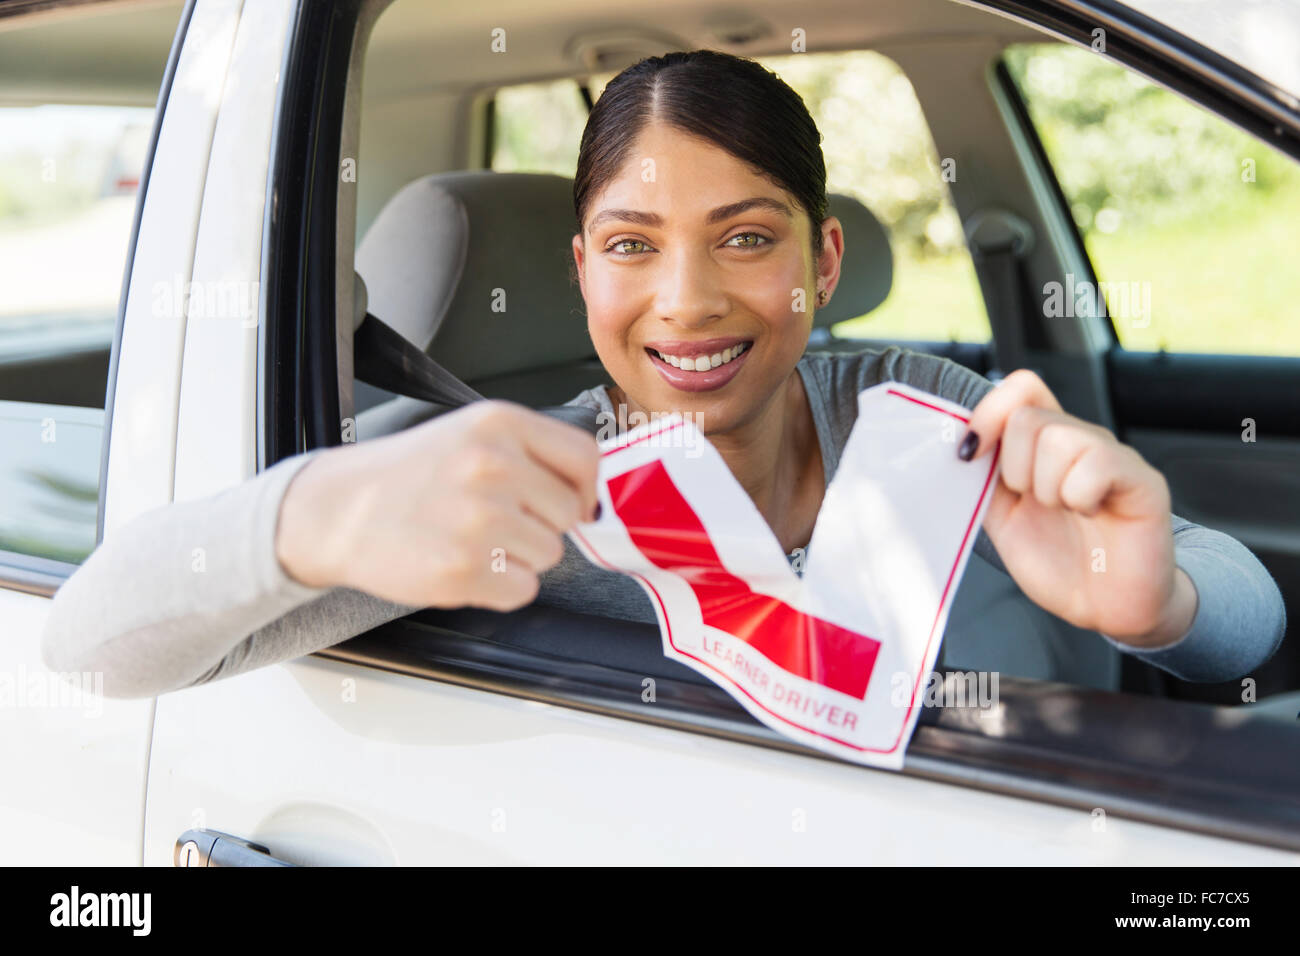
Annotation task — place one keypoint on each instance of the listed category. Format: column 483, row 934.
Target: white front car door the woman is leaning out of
column 547, row 737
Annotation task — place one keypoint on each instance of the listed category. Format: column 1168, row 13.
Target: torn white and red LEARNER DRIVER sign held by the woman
column 839, row 659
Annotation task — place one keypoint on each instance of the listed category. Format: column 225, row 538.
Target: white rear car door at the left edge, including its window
column 76, row 132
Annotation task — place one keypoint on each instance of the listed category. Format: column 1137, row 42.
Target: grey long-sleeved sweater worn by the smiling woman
column 138, row 612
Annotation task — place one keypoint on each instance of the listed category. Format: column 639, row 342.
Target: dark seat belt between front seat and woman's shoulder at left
column 384, row 358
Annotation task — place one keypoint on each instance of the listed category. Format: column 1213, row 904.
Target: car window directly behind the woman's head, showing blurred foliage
column 878, row 150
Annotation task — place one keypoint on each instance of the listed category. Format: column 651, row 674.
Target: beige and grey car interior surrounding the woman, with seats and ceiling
column 437, row 230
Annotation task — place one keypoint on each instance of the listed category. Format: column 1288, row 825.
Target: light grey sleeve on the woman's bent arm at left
column 194, row 591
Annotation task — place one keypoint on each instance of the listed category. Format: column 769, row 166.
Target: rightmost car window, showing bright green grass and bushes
column 1190, row 223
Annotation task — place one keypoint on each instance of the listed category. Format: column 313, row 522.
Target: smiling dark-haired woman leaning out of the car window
column 703, row 230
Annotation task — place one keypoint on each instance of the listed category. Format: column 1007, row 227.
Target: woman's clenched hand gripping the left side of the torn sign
column 466, row 509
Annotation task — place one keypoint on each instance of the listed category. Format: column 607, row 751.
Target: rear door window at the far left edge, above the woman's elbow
column 73, row 141
